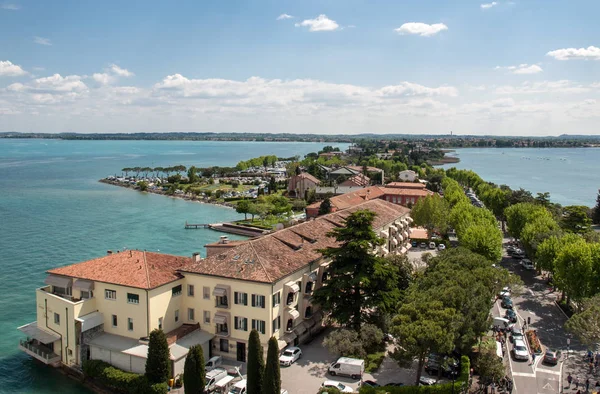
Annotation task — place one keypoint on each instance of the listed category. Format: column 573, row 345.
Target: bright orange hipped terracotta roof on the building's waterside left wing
column 133, row 268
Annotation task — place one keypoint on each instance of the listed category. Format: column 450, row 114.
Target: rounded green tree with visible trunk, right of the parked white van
column 422, row 326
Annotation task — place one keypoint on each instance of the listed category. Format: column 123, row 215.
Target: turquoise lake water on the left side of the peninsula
column 53, row 212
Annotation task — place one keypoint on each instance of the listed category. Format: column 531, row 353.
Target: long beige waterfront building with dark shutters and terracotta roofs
column 105, row 308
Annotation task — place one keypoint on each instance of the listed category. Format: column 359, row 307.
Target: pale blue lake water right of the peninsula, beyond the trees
column 571, row 176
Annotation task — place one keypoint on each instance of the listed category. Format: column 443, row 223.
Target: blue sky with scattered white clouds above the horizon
column 522, row 67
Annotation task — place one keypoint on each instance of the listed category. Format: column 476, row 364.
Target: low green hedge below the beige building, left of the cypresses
column 120, row 381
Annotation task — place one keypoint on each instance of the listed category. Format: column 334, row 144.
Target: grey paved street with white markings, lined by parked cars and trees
column 537, row 304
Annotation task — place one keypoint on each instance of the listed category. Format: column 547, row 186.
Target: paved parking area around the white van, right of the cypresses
column 307, row 374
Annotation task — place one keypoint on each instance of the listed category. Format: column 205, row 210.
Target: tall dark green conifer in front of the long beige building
column 361, row 282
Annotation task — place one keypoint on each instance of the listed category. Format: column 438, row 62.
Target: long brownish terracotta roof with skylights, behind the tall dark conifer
column 274, row 256
